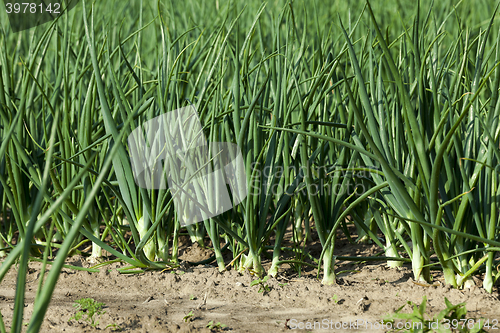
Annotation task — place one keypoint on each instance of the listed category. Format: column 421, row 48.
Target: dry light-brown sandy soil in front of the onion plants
column 162, row 301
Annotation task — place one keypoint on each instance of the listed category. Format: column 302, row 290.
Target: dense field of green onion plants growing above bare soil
column 374, row 122
